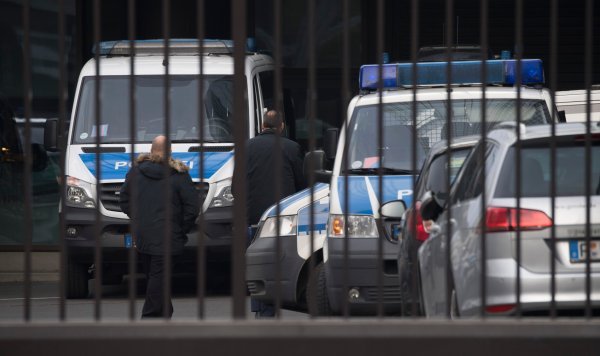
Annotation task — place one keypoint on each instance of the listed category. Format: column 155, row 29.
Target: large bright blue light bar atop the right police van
column 501, row 72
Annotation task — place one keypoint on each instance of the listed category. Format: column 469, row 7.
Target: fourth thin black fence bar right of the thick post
column 380, row 143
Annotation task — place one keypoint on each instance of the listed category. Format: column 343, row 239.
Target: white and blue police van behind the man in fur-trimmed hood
column 114, row 153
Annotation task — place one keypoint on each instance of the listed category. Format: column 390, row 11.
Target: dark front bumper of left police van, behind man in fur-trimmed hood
column 216, row 225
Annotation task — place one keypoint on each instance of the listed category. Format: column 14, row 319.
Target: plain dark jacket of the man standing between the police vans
column 261, row 177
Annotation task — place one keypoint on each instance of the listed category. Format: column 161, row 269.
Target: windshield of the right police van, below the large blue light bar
column 432, row 126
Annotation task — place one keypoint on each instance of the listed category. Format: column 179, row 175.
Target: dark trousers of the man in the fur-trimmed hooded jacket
column 154, row 270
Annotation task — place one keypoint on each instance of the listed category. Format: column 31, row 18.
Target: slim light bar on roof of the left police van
column 156, row 47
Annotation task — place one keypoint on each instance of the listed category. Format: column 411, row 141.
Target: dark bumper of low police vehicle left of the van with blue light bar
column 261, row 270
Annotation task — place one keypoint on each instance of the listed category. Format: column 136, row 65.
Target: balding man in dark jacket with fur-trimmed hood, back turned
column 150, row 177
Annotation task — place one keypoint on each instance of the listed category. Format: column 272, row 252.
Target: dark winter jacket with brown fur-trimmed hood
column 150, row 179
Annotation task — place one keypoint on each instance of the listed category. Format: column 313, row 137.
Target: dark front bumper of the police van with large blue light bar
column 362, row 275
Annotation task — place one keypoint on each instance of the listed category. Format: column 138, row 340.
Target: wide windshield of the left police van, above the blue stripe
column 150, row 109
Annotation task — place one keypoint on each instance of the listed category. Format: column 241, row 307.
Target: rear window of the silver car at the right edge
column 536, row 172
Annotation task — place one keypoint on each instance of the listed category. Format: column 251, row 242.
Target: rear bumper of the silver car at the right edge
column 535, row 293
